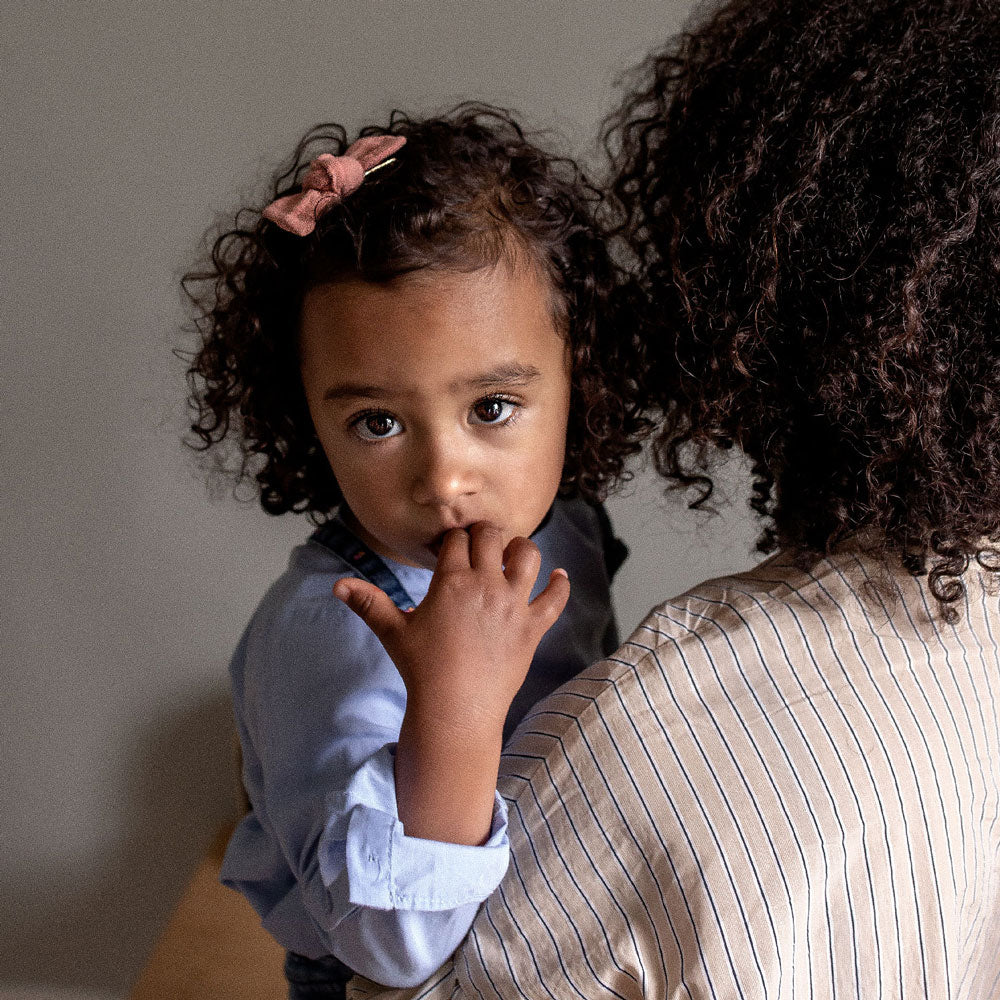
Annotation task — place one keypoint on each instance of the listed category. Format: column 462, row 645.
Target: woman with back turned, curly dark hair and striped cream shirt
column 787, row 783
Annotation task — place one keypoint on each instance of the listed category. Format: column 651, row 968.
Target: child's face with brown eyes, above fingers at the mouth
column 440, row 399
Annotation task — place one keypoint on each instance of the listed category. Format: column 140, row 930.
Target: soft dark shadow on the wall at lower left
column 92, row 927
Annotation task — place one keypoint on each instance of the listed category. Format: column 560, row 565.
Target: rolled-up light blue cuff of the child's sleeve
column 387, row 870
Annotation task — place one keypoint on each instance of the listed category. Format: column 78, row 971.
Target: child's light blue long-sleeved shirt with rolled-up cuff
column 322, row 855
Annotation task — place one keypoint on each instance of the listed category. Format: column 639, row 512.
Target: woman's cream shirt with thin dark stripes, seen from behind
column 786, row 784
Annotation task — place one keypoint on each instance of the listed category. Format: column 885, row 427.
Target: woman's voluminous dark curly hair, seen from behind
column 811, row 191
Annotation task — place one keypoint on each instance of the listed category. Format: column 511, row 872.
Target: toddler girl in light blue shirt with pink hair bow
column 409, row 345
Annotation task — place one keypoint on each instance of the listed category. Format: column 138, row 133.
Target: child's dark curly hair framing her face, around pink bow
column 466, row 191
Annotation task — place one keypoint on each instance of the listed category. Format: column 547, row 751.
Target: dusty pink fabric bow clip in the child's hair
column 331, row 179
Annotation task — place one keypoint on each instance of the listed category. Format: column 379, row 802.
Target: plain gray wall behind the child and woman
column 125, row 128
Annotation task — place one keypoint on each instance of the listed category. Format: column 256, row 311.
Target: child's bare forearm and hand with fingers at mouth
column 462, row 654
